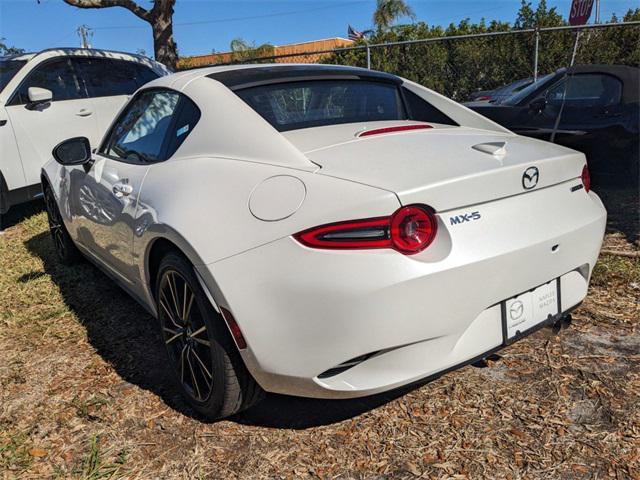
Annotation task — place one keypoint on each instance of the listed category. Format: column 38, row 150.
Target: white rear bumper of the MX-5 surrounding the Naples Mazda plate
column 305, row 311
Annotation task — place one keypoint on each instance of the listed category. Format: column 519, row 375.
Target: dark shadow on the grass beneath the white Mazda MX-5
column 126, row 337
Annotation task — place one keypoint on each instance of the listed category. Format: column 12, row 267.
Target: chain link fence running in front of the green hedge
column 457, row 66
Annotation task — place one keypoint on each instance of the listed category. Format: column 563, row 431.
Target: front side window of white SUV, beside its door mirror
column 57, row 76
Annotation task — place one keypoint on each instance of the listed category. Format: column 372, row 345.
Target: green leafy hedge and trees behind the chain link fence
column 459, row 67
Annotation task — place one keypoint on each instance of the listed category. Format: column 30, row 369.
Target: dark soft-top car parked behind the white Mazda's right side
column 600, row 117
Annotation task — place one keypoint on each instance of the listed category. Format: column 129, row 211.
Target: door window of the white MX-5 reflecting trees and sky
column 140, row 134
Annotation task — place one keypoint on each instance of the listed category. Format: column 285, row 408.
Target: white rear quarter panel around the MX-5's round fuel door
column 202, row 205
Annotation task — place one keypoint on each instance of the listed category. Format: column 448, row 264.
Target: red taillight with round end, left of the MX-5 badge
column 409, row 230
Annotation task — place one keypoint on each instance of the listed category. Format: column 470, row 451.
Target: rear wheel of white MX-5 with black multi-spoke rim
column 207, row 366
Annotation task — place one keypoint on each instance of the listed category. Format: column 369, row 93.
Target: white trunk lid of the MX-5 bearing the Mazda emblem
column 446, row 167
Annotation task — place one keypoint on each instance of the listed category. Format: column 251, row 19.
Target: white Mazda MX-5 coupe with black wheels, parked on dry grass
column 323, row 231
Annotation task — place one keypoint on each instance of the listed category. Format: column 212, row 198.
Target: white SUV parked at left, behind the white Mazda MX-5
column 49, row 96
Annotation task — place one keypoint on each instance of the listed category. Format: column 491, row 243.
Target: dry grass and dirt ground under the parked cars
column 82, row 391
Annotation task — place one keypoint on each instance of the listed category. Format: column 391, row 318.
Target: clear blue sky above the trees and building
column 205, row 25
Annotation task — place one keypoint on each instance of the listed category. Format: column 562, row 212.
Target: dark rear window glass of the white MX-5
column 305, row 104
